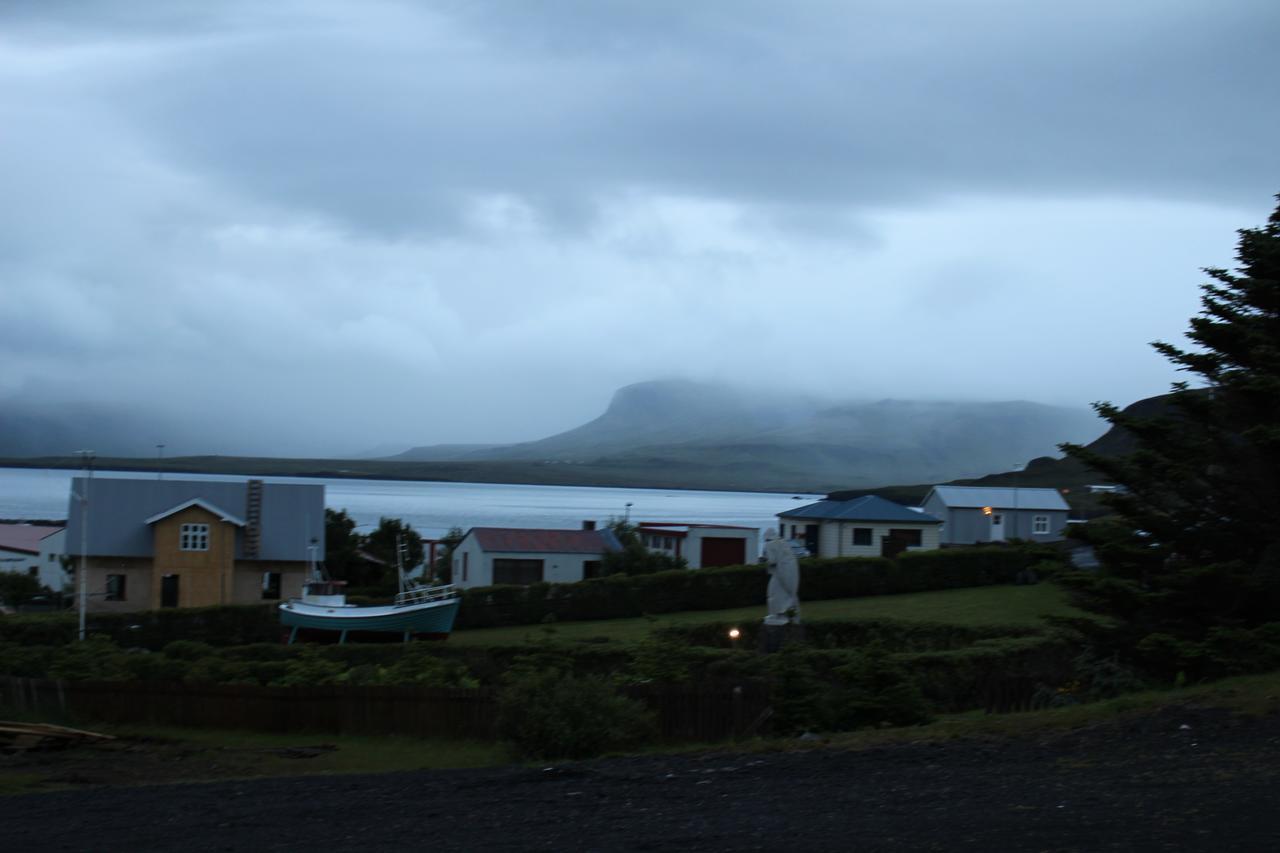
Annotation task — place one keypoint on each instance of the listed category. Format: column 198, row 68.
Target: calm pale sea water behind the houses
column 435, row 508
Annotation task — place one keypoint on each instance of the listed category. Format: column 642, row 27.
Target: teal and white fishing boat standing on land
column 417, row 612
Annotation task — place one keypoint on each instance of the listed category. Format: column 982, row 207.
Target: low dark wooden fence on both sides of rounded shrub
column 684, row 714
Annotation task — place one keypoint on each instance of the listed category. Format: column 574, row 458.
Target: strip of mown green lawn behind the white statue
column 975, row 606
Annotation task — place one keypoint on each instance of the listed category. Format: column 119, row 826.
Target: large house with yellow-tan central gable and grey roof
column 154, row 544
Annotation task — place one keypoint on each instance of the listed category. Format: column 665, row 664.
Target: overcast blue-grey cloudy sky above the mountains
column 324, row 227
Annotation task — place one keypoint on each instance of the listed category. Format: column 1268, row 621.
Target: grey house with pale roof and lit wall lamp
column 976, row 514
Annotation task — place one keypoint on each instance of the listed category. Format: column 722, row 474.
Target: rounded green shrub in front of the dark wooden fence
column 548, row 714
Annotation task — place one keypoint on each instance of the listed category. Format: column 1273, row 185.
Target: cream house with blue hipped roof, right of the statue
column 865, row 527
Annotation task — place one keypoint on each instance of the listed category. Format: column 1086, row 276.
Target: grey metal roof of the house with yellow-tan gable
column 120, row 509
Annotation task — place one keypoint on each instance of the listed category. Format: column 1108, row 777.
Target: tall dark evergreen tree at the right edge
column 1194, row 549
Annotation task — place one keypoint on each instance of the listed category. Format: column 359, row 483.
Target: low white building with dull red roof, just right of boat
column 488, row 556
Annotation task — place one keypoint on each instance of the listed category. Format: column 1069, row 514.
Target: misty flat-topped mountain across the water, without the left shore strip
column 714, row 434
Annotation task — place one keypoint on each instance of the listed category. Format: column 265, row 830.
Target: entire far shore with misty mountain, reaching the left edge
column 685, row 435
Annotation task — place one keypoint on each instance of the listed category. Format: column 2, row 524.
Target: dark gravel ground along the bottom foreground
column 1182, row 779
